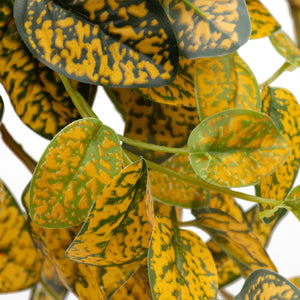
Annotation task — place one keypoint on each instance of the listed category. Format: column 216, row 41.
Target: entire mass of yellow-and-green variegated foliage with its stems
column 102, row 213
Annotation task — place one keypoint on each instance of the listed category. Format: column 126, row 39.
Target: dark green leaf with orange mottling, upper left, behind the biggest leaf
column 36, row 92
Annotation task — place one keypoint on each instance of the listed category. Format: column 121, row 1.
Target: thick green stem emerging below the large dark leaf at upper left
column 78, row 100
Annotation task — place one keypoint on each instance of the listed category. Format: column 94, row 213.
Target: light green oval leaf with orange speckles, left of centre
column 72, row 171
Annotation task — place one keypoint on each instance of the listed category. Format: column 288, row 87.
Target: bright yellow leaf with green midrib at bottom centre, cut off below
column 180, row 265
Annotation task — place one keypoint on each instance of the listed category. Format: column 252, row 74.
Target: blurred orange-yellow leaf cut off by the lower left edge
column 20, row 263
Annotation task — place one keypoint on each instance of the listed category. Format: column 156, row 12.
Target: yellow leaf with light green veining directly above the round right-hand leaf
column 223, row 83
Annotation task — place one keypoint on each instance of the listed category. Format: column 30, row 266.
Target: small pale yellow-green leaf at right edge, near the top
column 285, row 47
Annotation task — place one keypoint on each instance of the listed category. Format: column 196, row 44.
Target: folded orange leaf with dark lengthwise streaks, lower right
column 236, row 239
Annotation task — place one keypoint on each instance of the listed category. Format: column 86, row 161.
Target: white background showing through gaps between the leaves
column 284, row 247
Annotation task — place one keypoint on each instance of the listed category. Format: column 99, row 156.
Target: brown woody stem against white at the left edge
column 17, row 149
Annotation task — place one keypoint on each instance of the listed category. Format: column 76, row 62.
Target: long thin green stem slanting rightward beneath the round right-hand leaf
column 204, row 184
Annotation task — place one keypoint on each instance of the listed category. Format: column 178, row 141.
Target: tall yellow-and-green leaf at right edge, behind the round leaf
column 283, row 108
